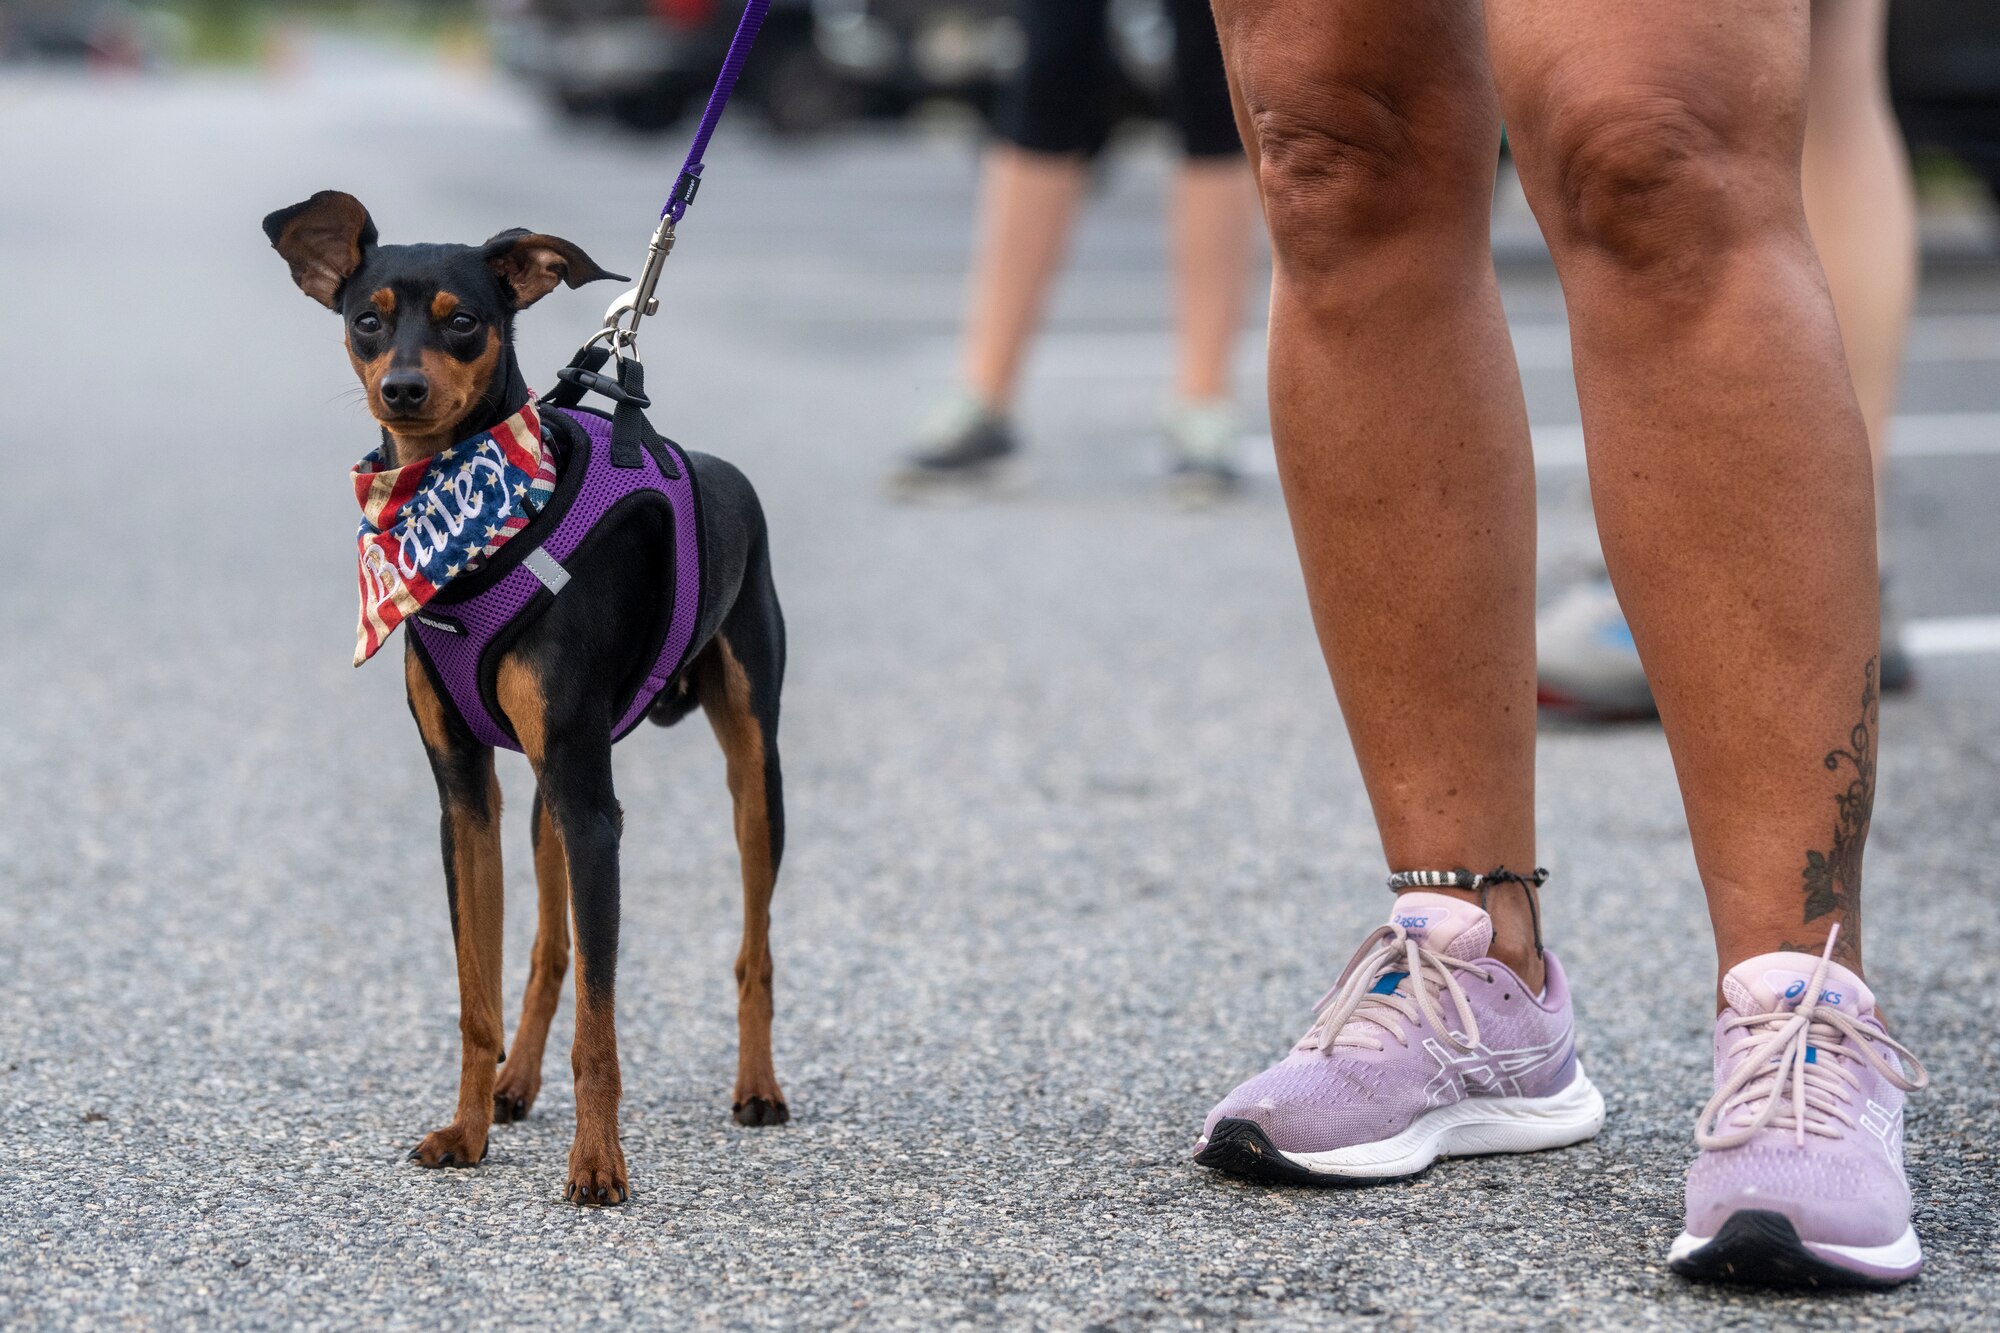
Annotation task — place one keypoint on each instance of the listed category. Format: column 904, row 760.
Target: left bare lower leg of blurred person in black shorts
column 1027, row 207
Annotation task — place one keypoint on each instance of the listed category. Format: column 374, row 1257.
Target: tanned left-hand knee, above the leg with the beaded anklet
column 1345, row 169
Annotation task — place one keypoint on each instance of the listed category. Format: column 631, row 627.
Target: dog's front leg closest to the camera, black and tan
column 571, row 752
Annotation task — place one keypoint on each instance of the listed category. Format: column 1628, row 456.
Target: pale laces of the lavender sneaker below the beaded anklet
column 1359, row 1002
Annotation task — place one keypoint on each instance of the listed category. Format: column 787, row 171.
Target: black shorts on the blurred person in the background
column 1061, row 99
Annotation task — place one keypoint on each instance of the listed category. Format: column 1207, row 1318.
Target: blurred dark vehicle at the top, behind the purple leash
column 647, row 63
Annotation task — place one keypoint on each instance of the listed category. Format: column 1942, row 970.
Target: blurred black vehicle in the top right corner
column 1945, row 77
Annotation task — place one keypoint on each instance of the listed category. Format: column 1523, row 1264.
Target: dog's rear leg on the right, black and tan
column 745, row 716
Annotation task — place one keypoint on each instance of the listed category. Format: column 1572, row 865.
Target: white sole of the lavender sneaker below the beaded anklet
column 1471, row 1128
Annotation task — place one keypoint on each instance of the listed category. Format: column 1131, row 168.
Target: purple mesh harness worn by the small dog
column 463, row 637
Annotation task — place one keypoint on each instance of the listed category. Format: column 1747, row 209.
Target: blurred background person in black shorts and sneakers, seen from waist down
column 1053, row 121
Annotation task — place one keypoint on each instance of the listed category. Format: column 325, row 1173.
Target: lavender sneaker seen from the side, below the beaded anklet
column 1385, row 1082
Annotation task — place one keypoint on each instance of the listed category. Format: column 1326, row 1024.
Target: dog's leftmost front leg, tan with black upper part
column 471, row 834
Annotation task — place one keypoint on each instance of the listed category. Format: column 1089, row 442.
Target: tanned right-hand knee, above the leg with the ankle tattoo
column 1657, row 183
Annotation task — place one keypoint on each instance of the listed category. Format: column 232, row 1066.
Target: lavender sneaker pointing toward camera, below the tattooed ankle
column 1801, row 1170
